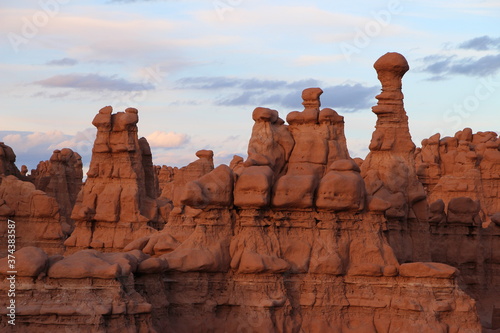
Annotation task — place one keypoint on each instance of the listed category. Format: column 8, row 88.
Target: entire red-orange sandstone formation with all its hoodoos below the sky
column 297, row 237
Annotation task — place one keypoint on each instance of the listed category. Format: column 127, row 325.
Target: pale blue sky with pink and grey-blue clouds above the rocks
column 196, row 69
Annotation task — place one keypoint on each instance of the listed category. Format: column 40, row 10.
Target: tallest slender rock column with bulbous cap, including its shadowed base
column 389, row 169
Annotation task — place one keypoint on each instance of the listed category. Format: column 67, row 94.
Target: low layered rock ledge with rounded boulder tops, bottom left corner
column 88, row 291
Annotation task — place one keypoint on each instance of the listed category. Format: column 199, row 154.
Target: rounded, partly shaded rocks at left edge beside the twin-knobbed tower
column 39, row 204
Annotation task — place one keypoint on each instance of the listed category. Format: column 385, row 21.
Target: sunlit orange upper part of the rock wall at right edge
column 466, row 165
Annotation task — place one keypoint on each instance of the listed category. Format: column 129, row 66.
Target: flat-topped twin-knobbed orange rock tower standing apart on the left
column 118, row 201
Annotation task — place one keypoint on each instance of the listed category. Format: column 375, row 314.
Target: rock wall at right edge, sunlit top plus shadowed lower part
column 462, row 178
